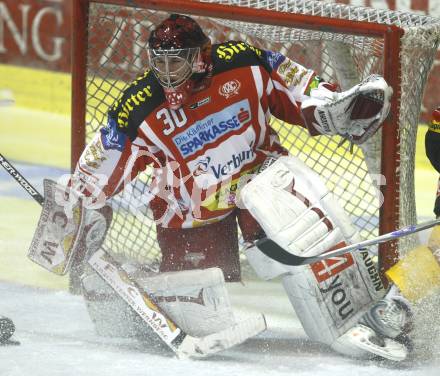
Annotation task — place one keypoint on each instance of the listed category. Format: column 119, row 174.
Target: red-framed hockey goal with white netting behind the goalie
column 342, row 43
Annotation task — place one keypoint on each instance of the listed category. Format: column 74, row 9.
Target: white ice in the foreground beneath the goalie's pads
column 57, row 338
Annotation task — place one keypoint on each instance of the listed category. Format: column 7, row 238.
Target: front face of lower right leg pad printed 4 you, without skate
column 330, row 296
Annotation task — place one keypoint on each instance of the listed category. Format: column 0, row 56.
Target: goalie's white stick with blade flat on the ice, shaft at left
column 144, row 304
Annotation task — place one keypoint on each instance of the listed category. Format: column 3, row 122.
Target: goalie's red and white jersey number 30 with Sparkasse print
column 204, row 152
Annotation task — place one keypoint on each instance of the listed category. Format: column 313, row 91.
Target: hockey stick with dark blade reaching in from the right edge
column 278, row 253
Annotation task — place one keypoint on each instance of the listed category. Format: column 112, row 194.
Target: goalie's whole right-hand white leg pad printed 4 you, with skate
column 330, row 297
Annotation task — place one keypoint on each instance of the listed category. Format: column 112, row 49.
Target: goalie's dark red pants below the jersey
column 213, row 245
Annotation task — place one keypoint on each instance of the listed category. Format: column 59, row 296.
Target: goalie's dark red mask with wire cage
column 179, row 56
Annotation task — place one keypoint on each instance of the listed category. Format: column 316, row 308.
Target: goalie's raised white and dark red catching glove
column 355, row 114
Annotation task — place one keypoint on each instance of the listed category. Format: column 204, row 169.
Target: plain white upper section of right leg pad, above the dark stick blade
column 296, row 210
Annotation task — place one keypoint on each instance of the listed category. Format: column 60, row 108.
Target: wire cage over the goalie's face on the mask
column 173, row 67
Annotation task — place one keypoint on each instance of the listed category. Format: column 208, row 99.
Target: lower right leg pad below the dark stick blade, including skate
column 322, row 317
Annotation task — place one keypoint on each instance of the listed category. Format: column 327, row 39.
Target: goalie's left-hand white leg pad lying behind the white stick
column 196, row 300
